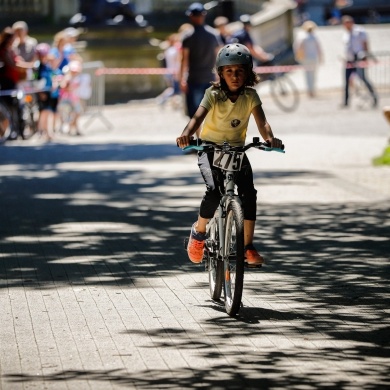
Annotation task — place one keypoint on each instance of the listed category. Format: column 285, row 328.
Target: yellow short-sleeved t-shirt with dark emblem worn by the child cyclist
column 225, row 120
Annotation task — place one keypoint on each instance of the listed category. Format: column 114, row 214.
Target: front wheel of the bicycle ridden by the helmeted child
column 233, row 257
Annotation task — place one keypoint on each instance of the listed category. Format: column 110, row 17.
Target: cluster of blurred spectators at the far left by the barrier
column 51, row 69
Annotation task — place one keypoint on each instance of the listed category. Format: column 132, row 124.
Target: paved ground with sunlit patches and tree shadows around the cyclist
column 97, row 291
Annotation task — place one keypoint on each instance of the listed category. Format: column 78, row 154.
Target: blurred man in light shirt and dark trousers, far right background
column 357, row 51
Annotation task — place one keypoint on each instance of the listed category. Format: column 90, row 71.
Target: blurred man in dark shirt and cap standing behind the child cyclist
column 199, row 50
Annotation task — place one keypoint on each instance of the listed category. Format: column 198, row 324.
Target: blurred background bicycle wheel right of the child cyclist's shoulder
column 284, row 93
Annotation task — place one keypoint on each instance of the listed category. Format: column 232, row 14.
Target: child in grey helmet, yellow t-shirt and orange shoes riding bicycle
column 224, row 114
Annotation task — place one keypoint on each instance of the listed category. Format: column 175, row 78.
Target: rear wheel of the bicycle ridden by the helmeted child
column 215, row 265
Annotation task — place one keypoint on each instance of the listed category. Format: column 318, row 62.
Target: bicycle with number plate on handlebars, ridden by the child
column 224, row 245
